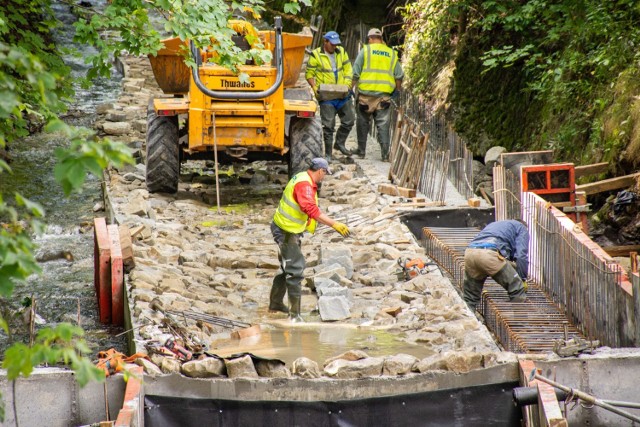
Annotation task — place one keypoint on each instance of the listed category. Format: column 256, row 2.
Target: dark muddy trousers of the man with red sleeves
column 292, row 264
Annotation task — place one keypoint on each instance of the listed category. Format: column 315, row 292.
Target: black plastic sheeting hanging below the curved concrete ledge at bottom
column 488, row 405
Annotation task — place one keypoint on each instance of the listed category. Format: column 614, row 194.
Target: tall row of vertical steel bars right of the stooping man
column 582, row 280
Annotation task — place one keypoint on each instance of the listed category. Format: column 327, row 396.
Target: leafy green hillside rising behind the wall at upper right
column 533, row 75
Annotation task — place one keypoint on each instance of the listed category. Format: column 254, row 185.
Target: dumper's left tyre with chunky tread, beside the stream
column 163, row 153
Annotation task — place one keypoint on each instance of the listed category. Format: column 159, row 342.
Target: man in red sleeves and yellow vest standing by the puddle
column 297, row 212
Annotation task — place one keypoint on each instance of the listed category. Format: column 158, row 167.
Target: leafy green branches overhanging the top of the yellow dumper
column 204, row 21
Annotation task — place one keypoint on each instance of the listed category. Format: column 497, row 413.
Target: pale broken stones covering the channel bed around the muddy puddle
column 192, row 256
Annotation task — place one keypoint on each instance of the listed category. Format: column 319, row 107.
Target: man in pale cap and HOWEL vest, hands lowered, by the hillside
column 377, row 75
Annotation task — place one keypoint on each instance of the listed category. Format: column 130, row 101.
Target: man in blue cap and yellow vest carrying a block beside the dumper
column 330, row 64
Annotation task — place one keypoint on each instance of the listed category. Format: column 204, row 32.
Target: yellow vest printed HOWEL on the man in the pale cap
column 377, row 69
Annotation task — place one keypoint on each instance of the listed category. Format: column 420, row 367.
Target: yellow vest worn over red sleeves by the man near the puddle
column 289, row 216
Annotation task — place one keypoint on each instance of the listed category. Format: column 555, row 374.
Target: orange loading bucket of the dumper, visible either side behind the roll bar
column 172, row 75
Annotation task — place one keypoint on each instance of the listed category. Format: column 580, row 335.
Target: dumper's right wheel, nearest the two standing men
column 305, row 143
